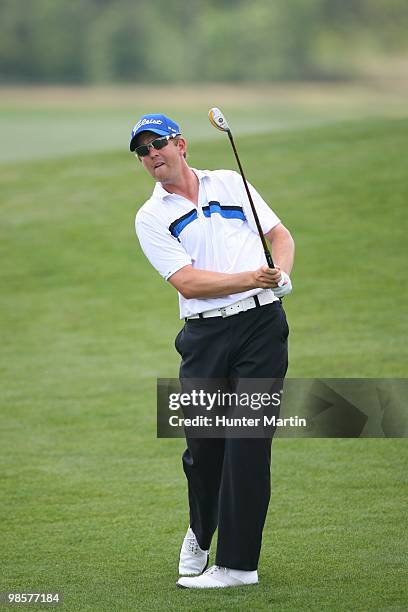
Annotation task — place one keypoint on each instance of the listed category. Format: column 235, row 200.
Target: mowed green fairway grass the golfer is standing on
column 93, row 505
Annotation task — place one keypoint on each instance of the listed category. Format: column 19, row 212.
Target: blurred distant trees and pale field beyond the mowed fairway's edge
column 88, row 68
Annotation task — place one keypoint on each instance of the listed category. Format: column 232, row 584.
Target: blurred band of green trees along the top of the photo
column 96, row 41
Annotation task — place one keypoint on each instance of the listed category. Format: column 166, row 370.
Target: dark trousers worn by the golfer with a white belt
column 229, row 478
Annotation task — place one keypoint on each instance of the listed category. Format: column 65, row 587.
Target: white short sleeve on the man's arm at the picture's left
column 164, row 252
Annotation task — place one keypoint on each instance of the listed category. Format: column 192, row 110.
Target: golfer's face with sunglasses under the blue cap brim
column 164, row 164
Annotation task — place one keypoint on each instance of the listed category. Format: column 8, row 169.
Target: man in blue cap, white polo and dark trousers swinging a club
column 198, row 231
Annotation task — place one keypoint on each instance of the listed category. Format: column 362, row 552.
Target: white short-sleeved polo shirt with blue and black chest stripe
column 219, row 234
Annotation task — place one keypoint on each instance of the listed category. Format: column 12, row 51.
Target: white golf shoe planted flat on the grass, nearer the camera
column 217, row 577
